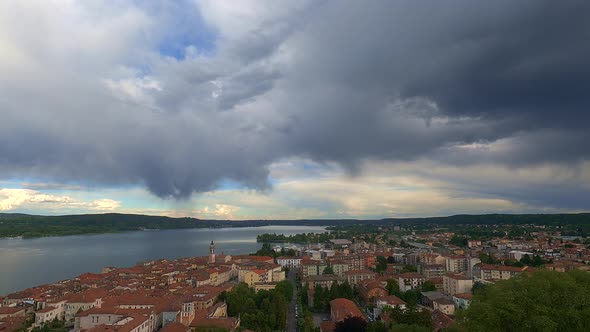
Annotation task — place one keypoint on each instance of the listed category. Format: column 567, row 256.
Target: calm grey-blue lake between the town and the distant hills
column 29, row 262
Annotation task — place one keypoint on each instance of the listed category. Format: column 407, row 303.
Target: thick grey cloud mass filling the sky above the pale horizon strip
column 337, row 81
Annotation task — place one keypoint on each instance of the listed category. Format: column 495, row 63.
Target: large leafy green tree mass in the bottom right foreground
column 544, row 301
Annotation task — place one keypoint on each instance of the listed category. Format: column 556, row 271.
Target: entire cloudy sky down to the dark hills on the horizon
column 294, row 109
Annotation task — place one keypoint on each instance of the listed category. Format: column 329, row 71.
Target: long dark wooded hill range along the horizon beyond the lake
column 16, row 224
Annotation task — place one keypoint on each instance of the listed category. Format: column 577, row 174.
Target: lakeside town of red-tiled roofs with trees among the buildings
column 366, row 277
